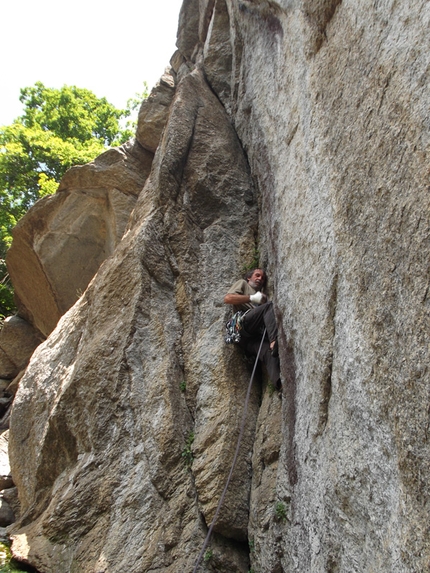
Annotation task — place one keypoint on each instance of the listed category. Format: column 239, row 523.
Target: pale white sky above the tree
column 108, row 48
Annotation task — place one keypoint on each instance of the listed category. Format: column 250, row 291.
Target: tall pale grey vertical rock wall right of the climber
column 330, row 102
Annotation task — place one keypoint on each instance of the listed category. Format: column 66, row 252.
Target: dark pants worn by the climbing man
column 254, row 323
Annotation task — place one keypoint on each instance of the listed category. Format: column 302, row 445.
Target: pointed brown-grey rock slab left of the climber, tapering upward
column 117, row 427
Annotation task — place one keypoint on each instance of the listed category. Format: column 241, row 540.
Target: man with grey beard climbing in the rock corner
column 247, row 295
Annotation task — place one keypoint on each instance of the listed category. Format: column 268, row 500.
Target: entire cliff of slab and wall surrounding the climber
column 303, row 126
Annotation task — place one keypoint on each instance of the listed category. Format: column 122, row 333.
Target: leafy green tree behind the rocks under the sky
column 58, row 129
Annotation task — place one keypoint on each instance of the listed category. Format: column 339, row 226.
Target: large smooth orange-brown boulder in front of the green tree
column 61, row 242
